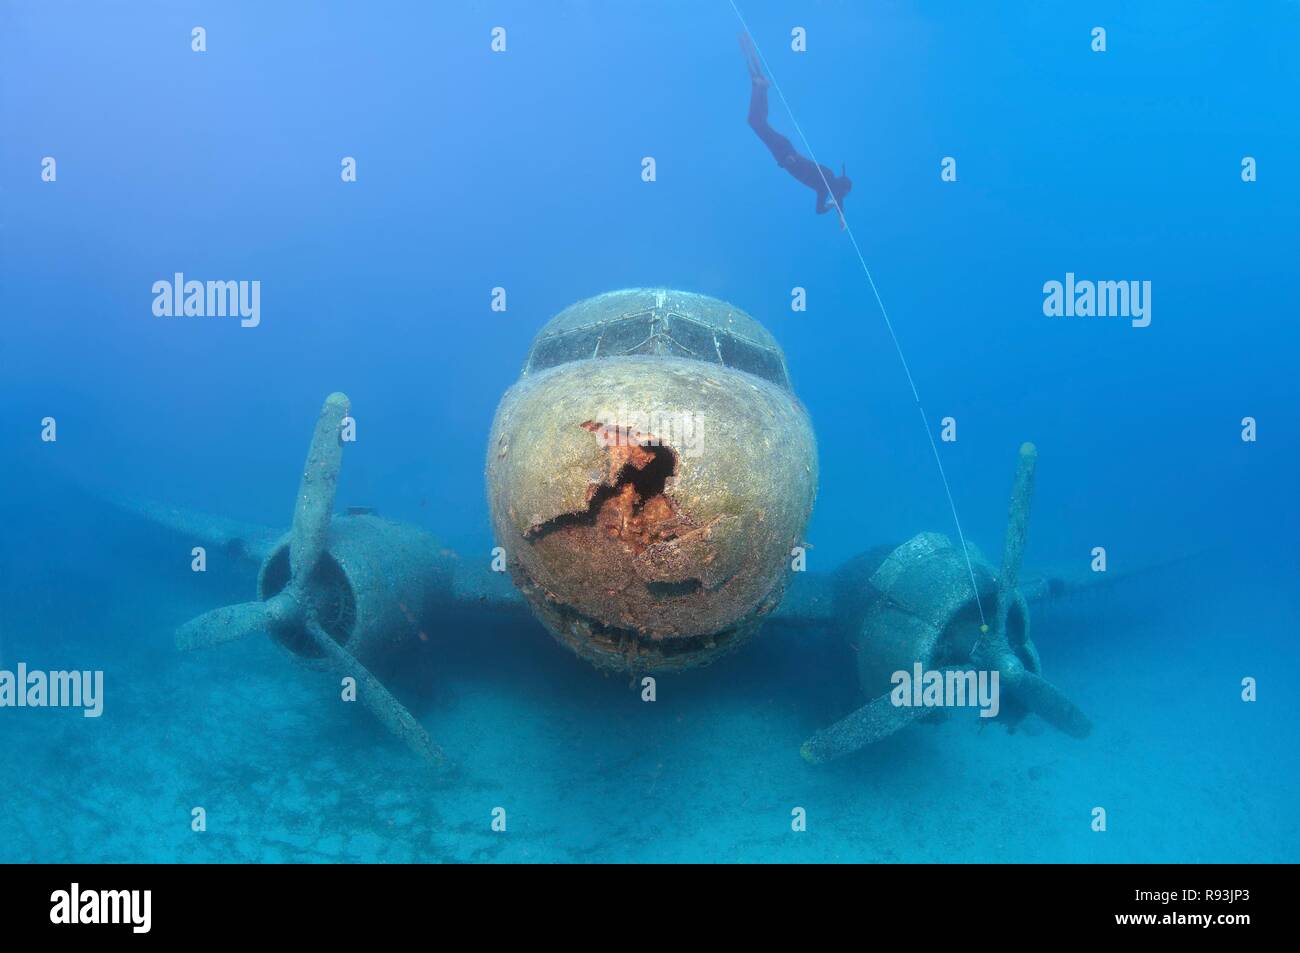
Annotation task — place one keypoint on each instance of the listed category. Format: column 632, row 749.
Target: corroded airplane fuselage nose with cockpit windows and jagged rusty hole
column 649, row 476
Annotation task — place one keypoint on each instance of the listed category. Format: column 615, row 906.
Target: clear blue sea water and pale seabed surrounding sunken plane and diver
column 523, row 171
